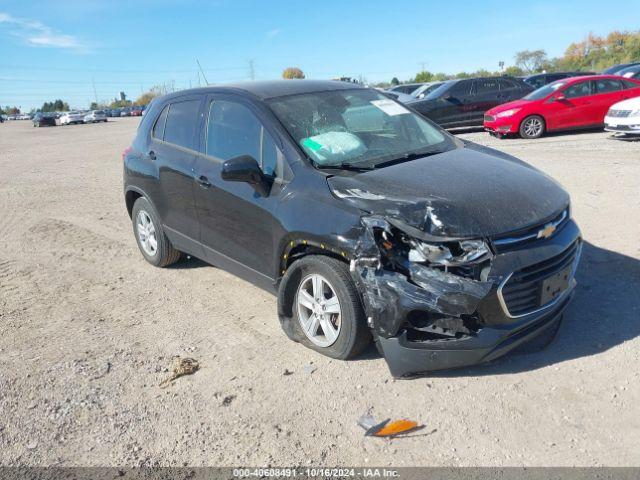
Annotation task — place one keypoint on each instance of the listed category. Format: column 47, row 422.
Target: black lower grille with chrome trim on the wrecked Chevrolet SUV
column 522, row 291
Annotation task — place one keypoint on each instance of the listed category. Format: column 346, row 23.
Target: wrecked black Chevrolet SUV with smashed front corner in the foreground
column 366, row 220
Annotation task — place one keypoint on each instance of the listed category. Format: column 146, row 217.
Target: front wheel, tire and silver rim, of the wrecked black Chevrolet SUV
column 327, row 310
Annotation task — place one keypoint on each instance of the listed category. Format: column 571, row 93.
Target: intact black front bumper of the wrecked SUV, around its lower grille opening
column 499, row 332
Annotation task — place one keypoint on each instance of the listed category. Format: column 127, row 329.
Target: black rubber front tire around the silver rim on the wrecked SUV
column 353, row 334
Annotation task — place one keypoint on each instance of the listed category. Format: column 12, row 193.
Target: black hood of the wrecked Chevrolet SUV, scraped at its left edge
column 466, row 192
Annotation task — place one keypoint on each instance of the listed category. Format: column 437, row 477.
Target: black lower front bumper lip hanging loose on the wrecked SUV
column 408, row 358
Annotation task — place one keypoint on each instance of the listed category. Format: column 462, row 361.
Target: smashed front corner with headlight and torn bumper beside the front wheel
column 433, row 289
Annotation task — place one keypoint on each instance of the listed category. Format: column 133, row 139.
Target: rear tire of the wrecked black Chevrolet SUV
column 163, row 254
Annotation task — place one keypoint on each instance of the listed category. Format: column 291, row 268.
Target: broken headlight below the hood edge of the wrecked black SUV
column 448, row 254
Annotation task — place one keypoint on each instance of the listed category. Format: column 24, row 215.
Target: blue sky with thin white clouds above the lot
column 80, row 50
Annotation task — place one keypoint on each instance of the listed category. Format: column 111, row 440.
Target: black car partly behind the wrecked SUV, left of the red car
column 462, row 103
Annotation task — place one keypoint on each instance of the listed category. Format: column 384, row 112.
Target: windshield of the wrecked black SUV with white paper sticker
column 348, row 127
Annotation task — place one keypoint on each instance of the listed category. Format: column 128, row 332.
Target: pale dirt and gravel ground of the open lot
column 88, row 330
